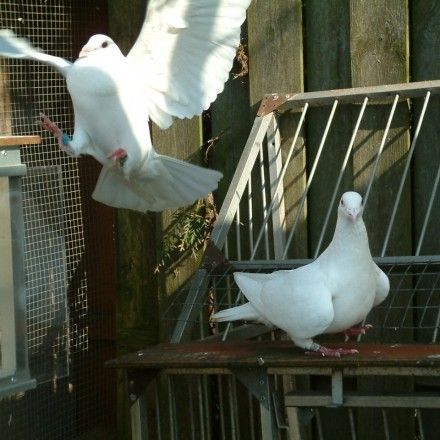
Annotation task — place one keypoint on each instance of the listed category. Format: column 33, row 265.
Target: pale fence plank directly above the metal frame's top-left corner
column 275, row 32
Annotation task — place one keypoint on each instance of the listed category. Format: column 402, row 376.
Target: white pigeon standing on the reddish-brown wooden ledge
column 329, row 295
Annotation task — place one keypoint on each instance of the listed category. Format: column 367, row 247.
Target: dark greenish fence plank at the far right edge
column 425, row 65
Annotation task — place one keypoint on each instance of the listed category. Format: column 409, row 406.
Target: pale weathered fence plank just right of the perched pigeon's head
column 379, row 55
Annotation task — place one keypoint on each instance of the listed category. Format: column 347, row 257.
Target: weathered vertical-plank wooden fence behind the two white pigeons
column 293, row 46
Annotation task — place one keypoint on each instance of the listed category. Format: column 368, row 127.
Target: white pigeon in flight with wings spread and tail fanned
column 176, row 68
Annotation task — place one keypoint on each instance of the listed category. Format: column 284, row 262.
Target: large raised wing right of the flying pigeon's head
column 184, row 53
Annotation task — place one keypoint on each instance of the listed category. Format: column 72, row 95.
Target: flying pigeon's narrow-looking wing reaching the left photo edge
column 12, row 46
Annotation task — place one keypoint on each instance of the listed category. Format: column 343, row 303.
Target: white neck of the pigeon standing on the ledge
column 351, row 238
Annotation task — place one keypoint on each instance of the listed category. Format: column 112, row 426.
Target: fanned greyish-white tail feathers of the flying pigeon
column 183, row 185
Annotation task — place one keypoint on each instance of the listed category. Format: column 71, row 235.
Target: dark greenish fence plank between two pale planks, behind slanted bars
column 327, row 61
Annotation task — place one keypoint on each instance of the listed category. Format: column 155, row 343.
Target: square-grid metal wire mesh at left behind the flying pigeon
column 70, row 332
